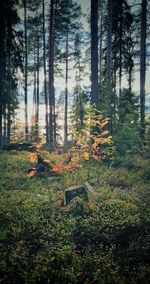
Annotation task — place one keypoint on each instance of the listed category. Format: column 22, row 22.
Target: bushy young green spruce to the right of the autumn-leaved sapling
column 126, row 132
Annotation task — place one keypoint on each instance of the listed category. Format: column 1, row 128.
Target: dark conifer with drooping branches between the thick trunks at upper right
column 122, row 20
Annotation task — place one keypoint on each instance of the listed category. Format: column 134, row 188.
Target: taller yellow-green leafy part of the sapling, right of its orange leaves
column 93, row 137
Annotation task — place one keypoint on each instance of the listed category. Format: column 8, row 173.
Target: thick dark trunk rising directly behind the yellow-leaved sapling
column 94, row 53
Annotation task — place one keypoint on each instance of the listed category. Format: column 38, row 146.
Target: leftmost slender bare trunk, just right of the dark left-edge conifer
column 26, row 72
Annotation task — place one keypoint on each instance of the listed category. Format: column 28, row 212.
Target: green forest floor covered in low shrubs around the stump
column 103, row 240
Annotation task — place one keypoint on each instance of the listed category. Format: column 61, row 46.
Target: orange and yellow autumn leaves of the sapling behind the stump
column 92, row 142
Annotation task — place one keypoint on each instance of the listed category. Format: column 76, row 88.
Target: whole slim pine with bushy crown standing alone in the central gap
column 69, row 14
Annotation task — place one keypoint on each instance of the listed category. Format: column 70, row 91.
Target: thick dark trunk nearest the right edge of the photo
column 143, row 66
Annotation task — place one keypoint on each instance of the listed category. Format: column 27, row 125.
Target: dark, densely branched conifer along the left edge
column 10, row 61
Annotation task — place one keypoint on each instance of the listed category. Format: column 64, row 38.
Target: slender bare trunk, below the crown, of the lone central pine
column 66, row 95
